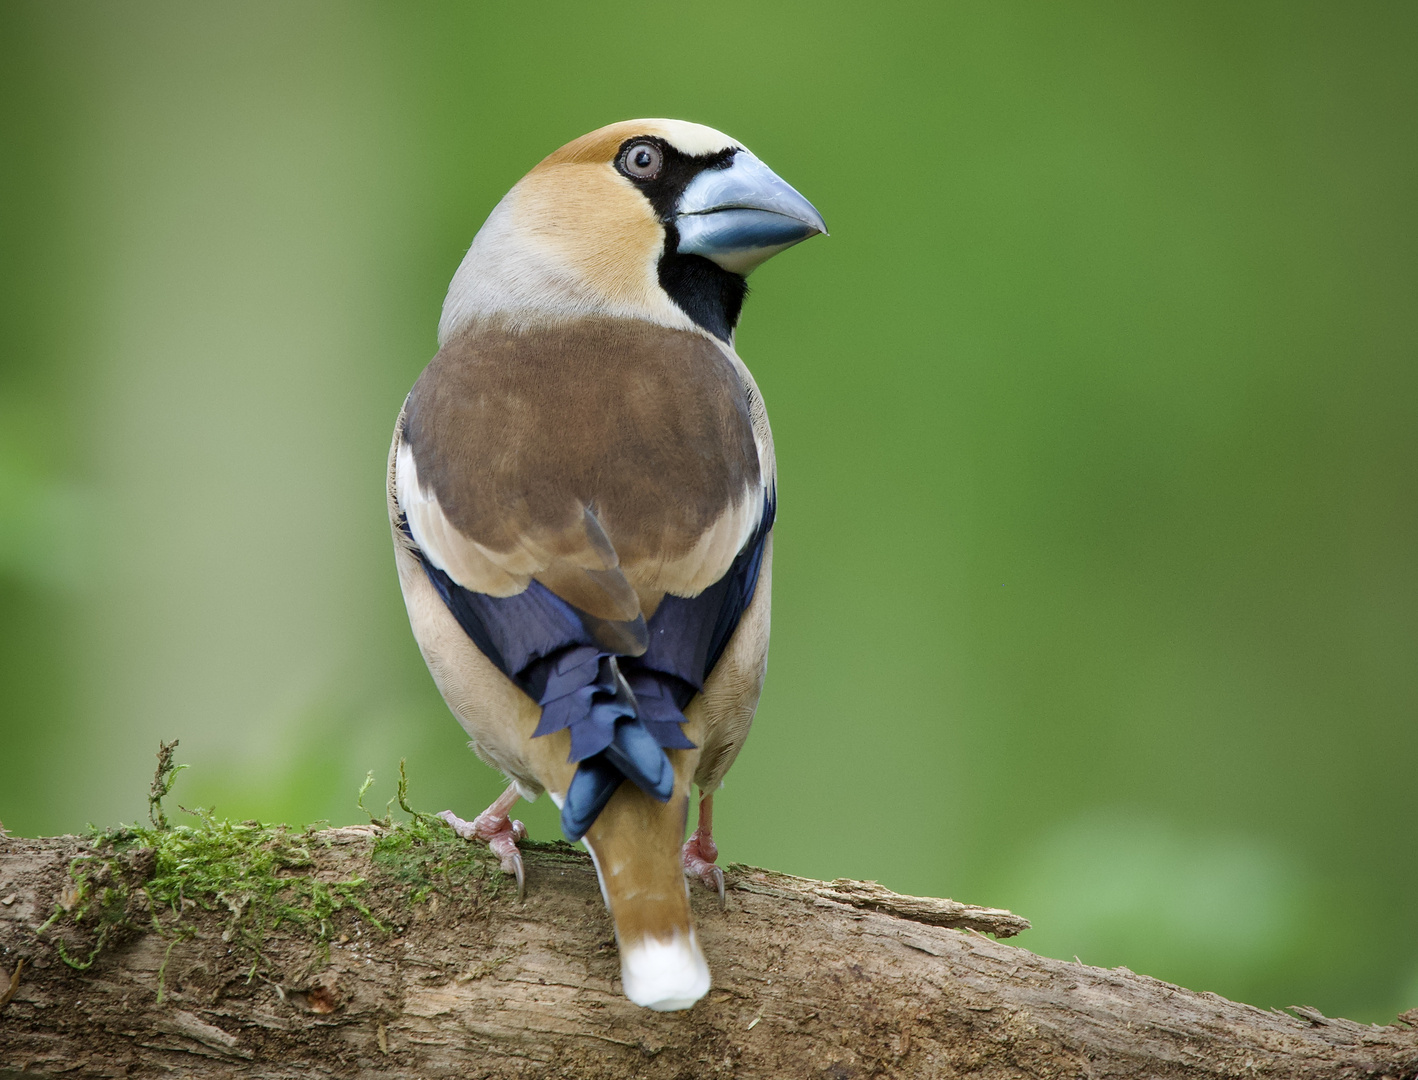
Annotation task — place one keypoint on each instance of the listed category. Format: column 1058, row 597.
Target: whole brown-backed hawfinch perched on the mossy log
column 582, row 493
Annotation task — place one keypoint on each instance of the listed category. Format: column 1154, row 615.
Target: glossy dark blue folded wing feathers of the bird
column 622, row 711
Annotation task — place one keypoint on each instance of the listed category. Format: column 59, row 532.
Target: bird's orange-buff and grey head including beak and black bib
column 657, row 220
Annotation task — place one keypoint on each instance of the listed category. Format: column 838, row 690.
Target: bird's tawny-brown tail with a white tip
column 636, row 845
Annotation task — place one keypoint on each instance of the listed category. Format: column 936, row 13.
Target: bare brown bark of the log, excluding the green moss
column 812, row 980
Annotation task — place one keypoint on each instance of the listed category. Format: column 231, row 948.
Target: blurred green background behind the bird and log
column 1097, row 576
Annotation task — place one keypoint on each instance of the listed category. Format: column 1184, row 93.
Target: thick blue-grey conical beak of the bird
column 742, row 216
